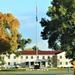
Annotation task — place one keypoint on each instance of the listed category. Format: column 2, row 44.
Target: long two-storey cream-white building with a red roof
column 29, row 59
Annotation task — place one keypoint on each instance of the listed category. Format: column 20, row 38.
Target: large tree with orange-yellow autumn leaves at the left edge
column 8, row 32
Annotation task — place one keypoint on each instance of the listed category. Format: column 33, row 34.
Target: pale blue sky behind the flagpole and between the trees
column 25, row 12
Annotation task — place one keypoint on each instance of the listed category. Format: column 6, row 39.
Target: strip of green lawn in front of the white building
column 23, row 71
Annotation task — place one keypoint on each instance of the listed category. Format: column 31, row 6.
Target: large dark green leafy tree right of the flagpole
column 60, row 28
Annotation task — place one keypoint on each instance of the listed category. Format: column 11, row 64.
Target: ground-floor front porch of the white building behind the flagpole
column 34, row 64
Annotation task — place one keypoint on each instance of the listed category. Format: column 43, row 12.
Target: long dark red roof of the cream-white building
column 40, row 52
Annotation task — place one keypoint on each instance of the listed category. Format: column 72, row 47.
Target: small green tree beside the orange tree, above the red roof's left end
column 22, row 42
